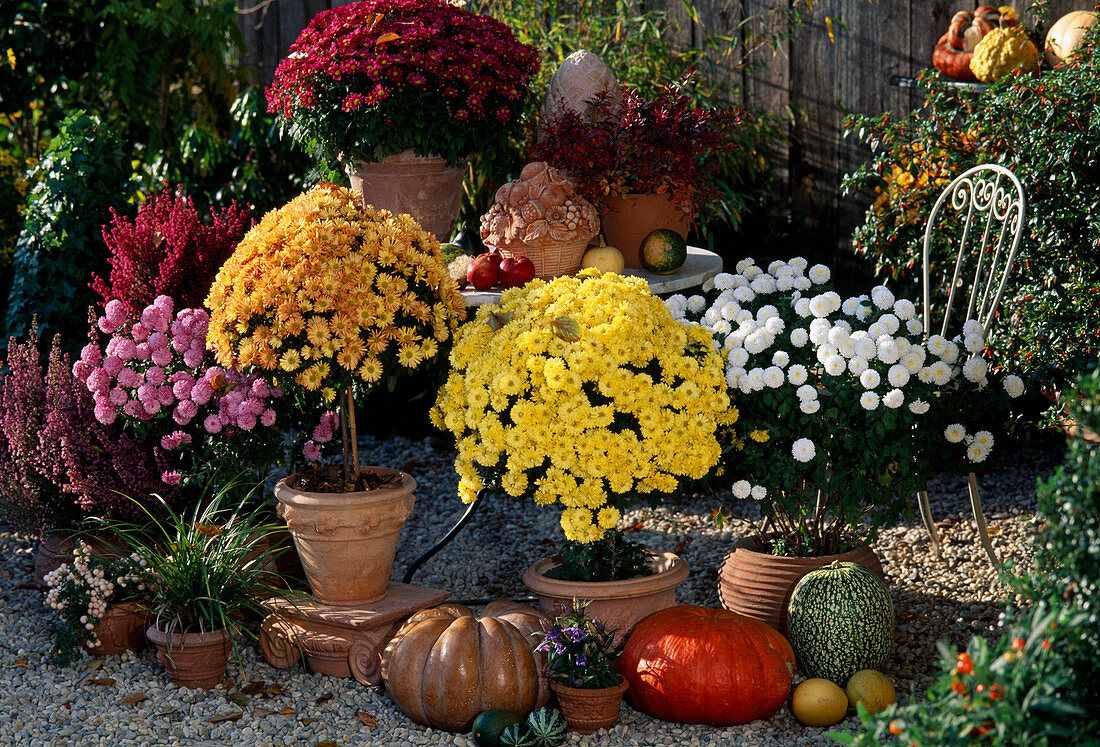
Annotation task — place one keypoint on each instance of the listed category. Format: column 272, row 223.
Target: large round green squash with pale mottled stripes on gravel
column 841, row 621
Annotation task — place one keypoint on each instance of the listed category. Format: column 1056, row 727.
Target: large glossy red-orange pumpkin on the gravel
column 705, row 666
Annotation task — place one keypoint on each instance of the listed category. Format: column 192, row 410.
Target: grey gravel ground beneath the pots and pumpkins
column 949, row 598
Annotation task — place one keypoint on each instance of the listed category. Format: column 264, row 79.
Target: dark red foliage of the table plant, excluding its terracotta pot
column 665, row 145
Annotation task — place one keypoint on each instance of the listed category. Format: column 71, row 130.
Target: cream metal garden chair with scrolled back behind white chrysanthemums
column 987, row 201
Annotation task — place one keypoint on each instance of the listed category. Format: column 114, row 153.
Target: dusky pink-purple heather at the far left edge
column 58, row 464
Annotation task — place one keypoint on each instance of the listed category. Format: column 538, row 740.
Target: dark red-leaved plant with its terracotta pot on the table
column 648, row 163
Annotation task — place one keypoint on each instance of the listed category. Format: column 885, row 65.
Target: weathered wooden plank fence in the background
column 840, row 60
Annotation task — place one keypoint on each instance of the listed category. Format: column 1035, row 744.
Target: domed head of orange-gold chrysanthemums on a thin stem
column 326, row 292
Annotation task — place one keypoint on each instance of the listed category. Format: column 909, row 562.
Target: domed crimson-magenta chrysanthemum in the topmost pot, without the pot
column 373, row 79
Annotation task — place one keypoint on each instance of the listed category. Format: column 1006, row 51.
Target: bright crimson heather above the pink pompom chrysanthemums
column 167, row 250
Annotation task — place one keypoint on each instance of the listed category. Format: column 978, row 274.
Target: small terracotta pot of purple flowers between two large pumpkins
column 582, row 669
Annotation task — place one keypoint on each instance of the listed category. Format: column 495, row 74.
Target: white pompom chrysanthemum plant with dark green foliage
column 844, row 409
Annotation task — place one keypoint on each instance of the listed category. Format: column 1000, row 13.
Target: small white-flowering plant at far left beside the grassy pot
column 82, row 592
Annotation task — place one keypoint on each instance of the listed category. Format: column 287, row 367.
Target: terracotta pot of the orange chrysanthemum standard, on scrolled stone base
column 347, row 542
